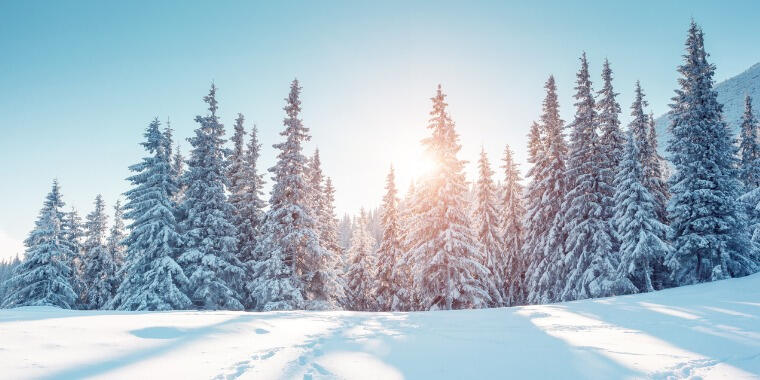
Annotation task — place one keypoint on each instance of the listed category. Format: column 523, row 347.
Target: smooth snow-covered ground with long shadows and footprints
column 704, row 331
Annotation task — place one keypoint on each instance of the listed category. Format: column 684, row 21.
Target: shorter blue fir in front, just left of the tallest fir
column 642, row 236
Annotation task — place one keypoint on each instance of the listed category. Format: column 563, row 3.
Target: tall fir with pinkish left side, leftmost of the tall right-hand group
column 543, row 228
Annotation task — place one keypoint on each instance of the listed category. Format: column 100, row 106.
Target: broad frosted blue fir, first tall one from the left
column 152, row 279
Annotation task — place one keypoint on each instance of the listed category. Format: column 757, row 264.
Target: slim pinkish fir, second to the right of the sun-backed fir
column 511, row 222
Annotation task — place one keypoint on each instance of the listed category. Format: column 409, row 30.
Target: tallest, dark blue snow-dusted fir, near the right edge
column 708, row 227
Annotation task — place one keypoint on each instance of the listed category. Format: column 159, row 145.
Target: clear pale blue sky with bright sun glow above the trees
column 80, row 80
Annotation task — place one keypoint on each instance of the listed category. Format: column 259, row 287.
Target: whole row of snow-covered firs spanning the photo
column 600, row 216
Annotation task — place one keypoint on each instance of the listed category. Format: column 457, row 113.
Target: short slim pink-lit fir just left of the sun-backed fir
column 392, row 287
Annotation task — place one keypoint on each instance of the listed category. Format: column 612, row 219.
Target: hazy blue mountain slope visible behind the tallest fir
column 731, row 94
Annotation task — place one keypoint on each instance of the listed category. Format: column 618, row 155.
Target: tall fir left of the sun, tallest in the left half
column 292, row 258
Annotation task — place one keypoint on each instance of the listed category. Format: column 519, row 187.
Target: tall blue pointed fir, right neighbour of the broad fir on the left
column 209, row 239
